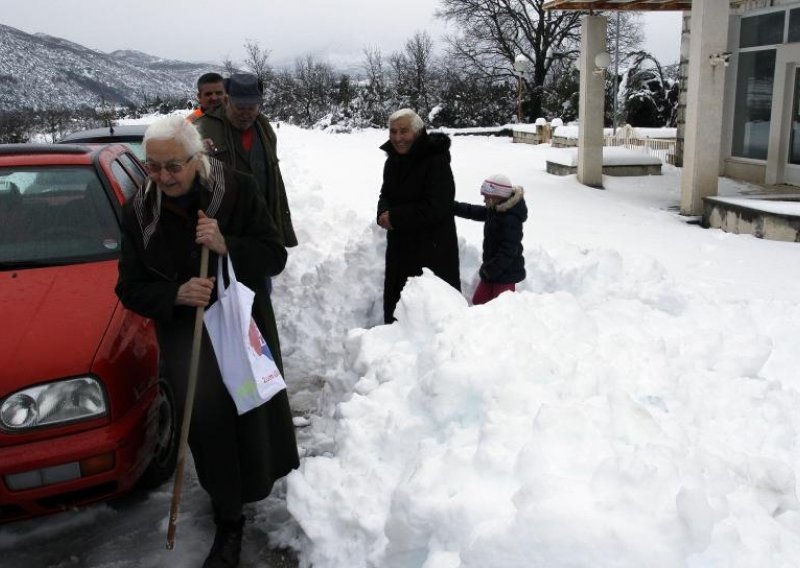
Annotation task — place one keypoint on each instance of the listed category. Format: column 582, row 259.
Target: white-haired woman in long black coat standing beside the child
column 416, row 207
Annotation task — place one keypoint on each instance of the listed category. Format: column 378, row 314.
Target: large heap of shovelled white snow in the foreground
column 557, row 429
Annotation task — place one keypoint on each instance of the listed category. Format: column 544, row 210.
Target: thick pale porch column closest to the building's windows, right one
column 706, row 80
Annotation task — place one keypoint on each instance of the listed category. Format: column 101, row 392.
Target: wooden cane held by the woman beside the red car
column 194, row 363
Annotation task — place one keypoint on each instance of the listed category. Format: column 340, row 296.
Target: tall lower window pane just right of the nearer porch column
column 756, row 70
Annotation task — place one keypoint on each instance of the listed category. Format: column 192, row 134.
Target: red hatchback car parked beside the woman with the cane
column 85, row 414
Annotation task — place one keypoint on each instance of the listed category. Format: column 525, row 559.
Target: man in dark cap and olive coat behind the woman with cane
column 239, row 135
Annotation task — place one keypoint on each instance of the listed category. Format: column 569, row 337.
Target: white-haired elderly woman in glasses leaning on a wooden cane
column 191, row 202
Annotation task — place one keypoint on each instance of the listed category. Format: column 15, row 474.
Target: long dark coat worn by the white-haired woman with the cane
column 237, row 457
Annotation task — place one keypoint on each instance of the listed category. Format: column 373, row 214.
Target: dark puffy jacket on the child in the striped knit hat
column 503, row 262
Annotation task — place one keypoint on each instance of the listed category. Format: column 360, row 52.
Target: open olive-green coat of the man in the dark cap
column 215, row 125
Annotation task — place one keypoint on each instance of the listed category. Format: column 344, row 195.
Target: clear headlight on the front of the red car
column 54, row 403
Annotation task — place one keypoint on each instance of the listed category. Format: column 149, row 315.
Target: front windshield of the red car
column 55, row 215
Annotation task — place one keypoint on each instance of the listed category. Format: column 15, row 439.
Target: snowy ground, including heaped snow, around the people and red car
column 635, row 403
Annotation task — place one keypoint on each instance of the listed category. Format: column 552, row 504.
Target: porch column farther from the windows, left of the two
column 591, row 103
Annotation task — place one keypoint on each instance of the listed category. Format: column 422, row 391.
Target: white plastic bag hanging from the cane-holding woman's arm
column 248, row 369
